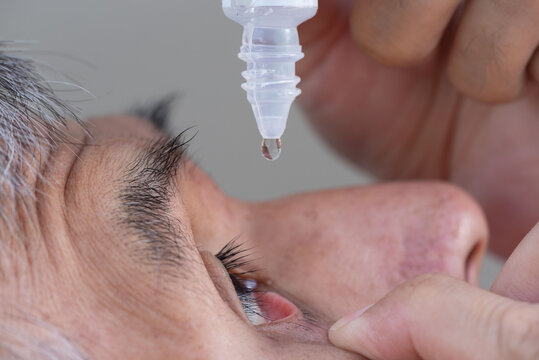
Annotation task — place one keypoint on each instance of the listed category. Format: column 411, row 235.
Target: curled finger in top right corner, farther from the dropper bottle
column 493, row 45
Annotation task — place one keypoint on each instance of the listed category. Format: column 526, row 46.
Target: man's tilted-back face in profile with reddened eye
column 122, row 238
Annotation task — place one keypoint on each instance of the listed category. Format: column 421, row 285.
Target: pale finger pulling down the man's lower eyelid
column 438, row 317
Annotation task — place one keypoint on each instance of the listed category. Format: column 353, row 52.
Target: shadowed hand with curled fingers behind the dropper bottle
column 423, row 118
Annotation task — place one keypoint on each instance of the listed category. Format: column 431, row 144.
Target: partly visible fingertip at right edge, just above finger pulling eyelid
column 519, row 277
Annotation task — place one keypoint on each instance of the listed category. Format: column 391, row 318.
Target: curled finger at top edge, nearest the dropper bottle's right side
column 400, row 32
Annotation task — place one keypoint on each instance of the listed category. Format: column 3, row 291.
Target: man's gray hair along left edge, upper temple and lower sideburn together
column 32, row 120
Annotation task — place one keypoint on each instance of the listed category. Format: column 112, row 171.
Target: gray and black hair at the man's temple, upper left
column 32, row 118
